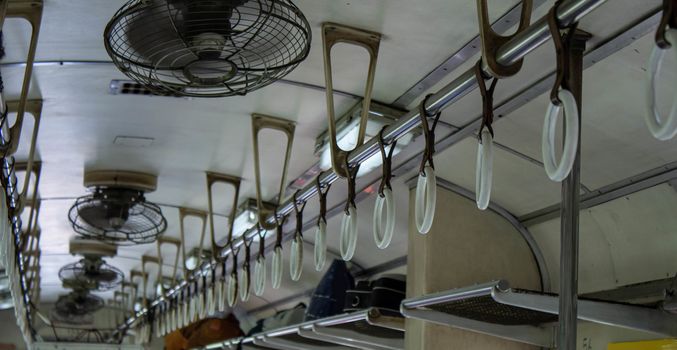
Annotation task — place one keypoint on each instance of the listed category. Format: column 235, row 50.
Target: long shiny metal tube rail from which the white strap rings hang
column 522, row 44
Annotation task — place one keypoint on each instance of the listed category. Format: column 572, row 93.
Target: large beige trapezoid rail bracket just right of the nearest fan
column 332, row 34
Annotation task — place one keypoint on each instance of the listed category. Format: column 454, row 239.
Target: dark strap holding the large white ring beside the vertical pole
column 562, row 42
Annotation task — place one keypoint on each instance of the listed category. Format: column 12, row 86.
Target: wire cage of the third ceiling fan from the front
column 103, row 277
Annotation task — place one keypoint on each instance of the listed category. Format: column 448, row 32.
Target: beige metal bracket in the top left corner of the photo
column 32, row 12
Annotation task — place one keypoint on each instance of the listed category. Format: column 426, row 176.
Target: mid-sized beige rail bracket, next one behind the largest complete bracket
column 261, row 122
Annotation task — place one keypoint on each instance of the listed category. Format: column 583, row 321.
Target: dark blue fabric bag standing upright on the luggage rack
column 330, row 294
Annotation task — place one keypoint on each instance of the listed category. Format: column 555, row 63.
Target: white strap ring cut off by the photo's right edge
column 660, row 128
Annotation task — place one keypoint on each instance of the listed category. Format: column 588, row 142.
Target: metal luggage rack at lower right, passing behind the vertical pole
column 527, row 316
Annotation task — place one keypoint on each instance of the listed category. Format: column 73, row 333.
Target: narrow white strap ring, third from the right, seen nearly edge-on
column 484, row 170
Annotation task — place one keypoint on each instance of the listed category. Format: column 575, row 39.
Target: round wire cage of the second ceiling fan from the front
column 144, row 223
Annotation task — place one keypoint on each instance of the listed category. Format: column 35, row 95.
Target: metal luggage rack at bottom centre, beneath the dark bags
column 366, row 329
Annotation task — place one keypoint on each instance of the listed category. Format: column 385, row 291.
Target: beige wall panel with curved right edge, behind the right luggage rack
column 465, row 246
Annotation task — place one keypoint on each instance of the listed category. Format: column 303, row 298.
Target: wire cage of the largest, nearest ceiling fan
column 178, row 47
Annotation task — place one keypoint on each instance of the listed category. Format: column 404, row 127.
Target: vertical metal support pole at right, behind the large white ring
column 571, row 187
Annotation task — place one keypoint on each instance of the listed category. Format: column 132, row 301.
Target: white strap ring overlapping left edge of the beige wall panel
column 426, row 198
